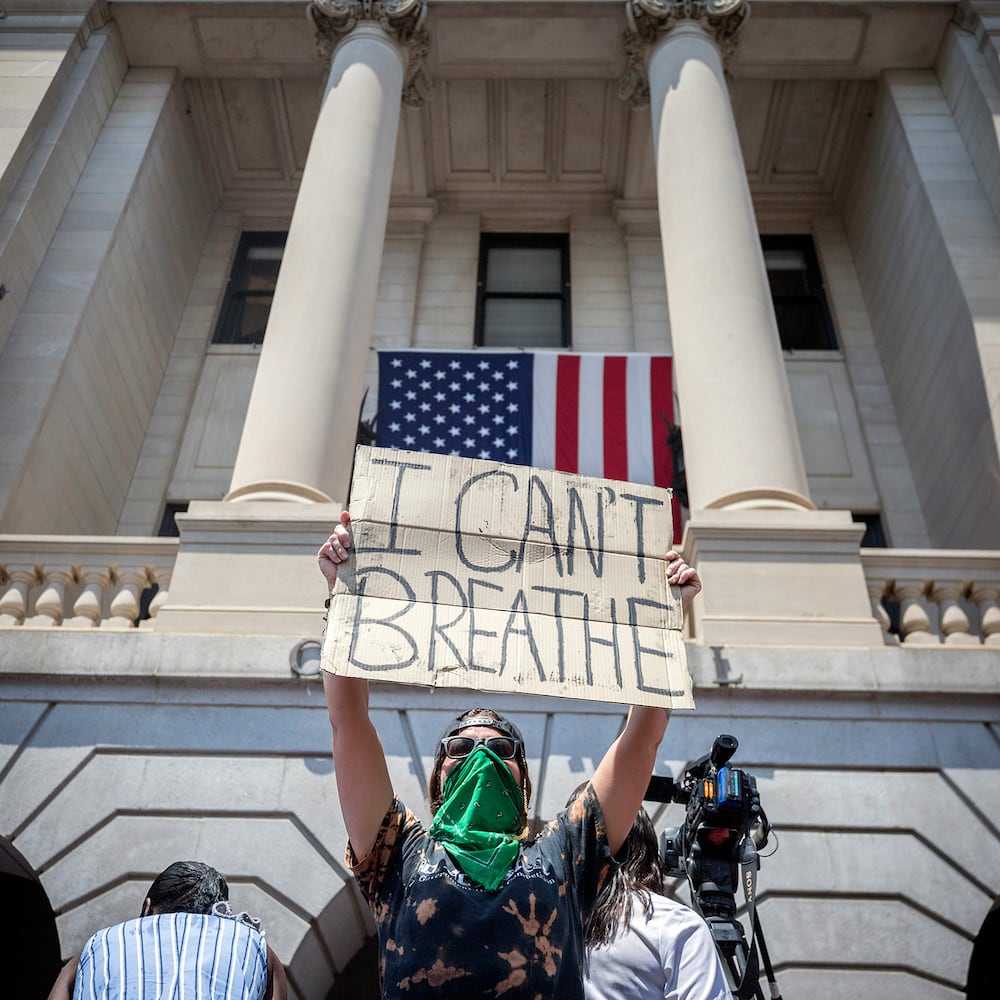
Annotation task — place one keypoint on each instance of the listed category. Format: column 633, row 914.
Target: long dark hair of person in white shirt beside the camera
column 638, row 874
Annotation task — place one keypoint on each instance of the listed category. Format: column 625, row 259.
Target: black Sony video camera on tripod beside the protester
column 724, row 827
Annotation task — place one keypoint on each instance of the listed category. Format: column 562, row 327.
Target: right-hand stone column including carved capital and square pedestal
column 775, row 569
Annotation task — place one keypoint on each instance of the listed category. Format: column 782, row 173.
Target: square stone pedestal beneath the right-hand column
column 779, row 578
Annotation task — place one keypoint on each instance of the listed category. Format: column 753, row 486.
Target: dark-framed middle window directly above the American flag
column 522, row 296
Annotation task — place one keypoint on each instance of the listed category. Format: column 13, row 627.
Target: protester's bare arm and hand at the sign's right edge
column 623, row 774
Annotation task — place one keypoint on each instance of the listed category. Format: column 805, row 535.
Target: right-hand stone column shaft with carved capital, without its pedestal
column 741, row 446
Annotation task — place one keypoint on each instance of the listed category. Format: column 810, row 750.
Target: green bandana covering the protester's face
column 480, row 817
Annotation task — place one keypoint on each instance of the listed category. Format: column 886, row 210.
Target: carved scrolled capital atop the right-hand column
column 648, row 20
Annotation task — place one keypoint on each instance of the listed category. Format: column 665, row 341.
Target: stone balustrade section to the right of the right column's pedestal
column 944, row 597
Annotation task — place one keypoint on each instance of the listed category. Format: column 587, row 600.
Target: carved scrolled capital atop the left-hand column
column 404, row 19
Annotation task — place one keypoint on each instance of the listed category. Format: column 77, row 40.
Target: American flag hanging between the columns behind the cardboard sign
column 596, row 414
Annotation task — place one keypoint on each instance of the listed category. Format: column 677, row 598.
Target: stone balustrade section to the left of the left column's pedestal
column 49, row 581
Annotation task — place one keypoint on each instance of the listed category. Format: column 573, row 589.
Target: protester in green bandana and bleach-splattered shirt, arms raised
column 471, row 907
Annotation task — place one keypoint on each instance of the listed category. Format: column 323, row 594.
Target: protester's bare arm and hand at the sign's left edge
column 358, row 759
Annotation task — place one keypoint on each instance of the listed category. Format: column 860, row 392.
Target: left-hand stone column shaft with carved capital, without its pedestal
column 298, row 439
